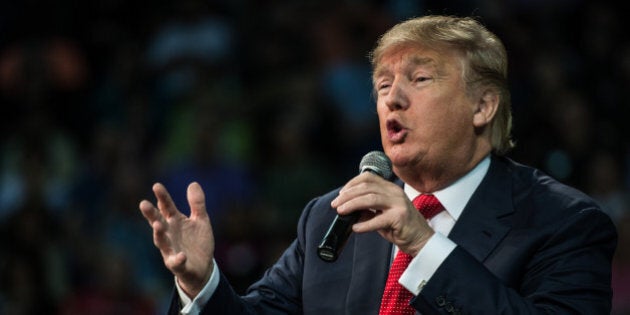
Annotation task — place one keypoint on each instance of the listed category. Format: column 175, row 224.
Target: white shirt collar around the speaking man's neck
column 455, row 197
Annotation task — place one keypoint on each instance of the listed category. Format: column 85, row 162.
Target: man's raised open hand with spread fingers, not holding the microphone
column 186, row 243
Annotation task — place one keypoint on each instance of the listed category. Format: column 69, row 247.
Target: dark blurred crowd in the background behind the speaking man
column 266, row 104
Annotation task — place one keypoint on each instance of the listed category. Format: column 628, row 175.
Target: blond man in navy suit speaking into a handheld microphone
column 510, row 239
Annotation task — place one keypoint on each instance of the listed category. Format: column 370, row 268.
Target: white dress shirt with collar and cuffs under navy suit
column 454, row 198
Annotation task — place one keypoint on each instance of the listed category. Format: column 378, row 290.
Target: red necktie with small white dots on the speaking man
column 396, row 298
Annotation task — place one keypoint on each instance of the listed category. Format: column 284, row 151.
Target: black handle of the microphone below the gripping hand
column 337, row 235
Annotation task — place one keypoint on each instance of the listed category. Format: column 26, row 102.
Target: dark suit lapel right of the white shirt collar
column 479, row 228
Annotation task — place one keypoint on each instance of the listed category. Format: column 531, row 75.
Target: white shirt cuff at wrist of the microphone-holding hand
column 428, row 260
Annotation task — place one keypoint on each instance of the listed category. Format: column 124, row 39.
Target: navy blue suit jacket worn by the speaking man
column 526, row 244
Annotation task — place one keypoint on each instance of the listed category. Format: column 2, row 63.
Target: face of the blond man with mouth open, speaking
column 425, row 114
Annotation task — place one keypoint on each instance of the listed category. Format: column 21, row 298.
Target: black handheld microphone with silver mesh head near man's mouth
column 329, row 249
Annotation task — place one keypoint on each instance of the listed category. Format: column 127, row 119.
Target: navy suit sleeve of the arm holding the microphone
column 567, row 273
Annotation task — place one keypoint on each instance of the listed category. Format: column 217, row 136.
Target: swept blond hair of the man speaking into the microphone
column 484, row 56
